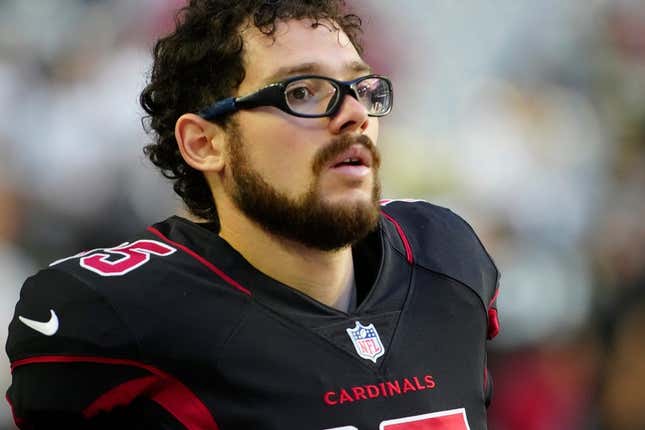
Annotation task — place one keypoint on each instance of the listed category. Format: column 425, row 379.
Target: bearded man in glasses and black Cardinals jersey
column 301, row 303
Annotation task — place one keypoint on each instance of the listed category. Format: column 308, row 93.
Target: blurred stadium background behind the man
column 527, row 118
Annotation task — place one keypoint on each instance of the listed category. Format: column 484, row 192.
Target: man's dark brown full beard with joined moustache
column 307, row 219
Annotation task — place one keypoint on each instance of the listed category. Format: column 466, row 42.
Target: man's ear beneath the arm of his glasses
column 200, row 142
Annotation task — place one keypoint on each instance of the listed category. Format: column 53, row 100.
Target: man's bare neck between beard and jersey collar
column 326, row 276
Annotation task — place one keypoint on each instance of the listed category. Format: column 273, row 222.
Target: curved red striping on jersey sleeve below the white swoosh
column 161, row 387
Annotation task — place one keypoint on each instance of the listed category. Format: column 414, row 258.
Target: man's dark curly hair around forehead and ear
column 201, row 62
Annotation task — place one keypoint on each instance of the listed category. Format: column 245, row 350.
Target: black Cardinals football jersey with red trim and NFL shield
column 176, row 330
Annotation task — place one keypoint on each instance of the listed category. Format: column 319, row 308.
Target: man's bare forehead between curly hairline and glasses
column 298, row 47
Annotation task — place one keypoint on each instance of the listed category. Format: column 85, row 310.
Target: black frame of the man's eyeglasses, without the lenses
column 274, row 95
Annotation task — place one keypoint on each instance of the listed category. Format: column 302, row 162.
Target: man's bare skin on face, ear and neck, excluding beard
column 281, row 148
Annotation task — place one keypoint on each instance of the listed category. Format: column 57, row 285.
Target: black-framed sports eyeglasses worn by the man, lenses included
column 311, row 96
